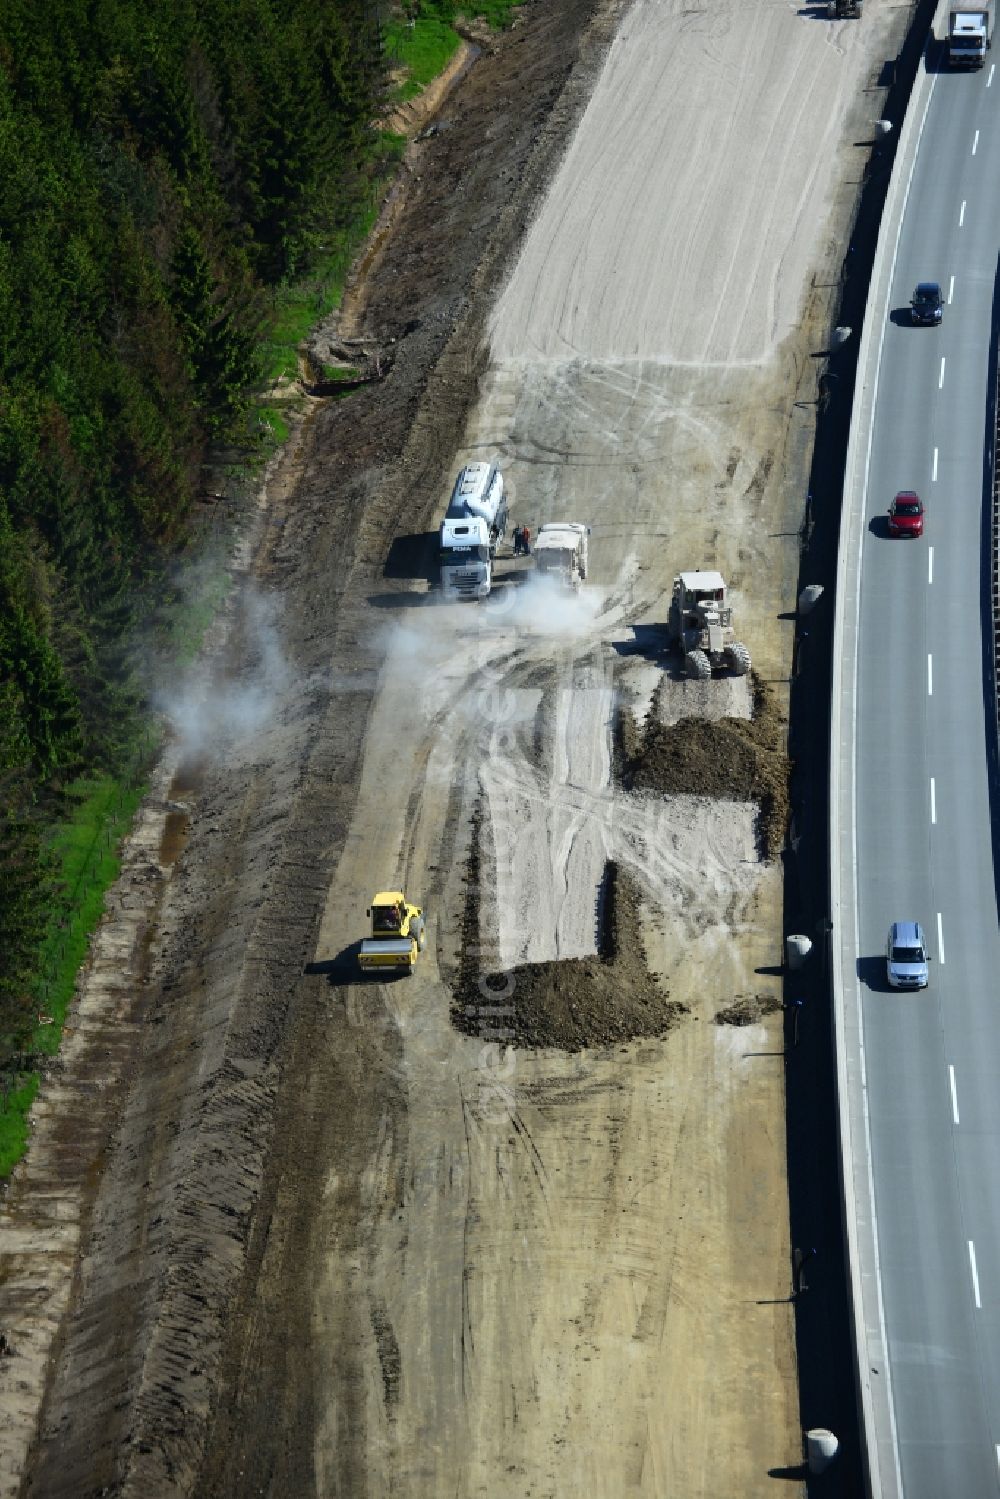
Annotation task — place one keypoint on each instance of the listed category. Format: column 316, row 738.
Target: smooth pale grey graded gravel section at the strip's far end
column 684, row 221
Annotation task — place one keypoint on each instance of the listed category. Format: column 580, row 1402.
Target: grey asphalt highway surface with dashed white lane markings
column 923, row 843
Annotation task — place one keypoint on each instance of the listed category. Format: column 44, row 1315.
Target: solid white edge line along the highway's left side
column 887, row 1363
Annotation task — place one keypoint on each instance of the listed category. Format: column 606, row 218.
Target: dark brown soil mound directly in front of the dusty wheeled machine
column 735, row 759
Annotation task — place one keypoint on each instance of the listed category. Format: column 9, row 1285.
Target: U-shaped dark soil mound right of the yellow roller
column 578, row 1002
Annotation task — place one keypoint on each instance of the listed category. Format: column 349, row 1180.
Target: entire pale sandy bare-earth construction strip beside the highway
column 593, row 1300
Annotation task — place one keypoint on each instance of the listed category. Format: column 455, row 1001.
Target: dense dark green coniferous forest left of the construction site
column 164, row 167
